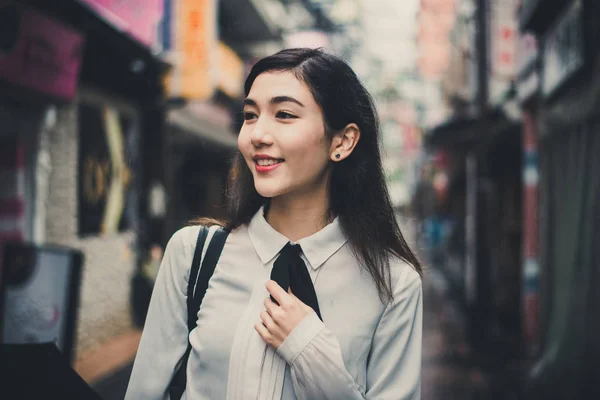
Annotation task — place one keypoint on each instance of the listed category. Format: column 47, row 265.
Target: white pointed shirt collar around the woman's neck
column 317, row 248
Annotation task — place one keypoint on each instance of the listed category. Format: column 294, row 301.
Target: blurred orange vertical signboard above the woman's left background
column 193, row 48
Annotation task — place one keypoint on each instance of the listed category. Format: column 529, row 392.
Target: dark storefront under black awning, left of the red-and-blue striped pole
column 482, row 207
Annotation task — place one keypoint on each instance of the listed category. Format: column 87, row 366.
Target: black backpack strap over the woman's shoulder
column 197, row 286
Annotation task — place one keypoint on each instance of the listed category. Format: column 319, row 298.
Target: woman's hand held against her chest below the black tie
column 279, row 320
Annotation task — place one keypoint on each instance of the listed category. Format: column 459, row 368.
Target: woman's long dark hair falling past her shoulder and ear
column 358, row 193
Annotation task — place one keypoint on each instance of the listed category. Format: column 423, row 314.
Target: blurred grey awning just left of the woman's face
column 192, row 129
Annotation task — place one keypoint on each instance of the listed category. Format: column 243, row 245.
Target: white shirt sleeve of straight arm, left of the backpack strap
column 165, row 335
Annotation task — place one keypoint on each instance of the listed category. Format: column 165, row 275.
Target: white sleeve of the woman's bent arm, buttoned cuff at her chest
column 394, row 367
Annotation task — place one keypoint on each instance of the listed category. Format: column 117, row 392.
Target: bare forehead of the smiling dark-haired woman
column 279, row 83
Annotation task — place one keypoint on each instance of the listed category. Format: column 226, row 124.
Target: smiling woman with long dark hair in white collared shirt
column 309, row 172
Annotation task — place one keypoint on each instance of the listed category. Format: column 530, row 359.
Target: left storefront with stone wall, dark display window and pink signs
column 83, row 95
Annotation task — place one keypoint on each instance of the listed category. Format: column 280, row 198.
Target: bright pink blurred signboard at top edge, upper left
column 138, row 18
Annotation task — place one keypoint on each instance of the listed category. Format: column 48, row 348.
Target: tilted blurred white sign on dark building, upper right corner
column 563, row 49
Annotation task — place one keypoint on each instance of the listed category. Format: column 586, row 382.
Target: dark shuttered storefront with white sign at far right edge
column 569, row 143
